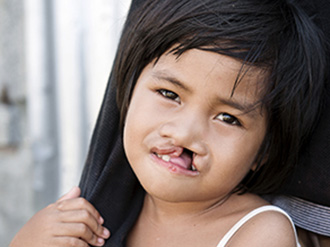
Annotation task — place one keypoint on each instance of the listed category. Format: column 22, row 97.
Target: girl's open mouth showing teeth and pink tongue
column 182, row 160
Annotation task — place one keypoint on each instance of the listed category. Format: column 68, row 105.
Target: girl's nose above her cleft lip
column 188, row 131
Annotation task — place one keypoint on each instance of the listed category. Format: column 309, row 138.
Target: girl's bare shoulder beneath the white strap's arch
column 269, row 228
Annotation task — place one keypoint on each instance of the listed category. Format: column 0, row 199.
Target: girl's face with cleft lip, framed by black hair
column 187, row 138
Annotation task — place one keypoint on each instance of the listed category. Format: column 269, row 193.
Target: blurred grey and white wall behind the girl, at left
column 55, row 58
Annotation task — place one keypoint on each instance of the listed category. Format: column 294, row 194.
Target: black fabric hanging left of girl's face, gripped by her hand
column 107, row 180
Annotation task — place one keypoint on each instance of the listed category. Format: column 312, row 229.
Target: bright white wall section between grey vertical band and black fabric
column 86, row 36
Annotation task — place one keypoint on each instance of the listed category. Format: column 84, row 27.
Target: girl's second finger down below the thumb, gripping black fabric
column 85, row 217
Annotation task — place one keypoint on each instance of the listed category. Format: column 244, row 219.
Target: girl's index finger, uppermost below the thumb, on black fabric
column 77, row 204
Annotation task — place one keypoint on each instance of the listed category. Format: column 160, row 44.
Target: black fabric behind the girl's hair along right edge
column 311, row 180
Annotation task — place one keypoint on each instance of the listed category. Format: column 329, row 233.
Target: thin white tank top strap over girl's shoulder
column 250, row 215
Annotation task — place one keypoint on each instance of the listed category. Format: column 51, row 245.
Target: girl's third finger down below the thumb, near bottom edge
column 79, row 230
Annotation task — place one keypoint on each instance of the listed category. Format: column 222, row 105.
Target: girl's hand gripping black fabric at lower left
column 71, row 221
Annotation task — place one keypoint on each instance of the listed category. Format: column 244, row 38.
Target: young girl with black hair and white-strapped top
column 215, row 99
